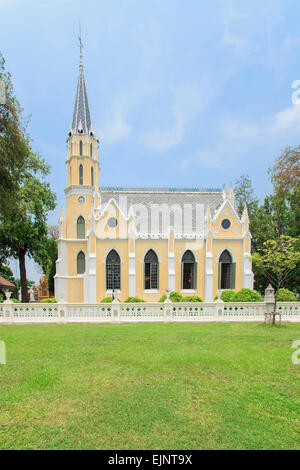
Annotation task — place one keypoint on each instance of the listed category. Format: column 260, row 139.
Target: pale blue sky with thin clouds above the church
column 182, row 93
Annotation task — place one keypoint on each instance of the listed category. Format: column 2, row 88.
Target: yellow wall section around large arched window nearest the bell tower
column 103, row 247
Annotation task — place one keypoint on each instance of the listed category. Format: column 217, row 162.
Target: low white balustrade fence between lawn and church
column 143, row 312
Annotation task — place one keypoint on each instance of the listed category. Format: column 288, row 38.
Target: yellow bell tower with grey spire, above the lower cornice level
column 82, row 159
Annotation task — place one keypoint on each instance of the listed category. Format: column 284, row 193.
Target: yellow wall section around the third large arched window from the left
column 197, row 248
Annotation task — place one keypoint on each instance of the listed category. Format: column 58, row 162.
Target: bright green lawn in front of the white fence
column 149, row 386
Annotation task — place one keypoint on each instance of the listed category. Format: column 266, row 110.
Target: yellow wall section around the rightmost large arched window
column 235, row 247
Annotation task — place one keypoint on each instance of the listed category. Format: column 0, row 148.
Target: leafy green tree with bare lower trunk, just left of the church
column 23, row 231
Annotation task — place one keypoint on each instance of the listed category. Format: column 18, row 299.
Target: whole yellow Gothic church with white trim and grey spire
column 142, row 241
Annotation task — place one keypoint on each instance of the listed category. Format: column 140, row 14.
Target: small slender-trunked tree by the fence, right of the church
column 277, row 260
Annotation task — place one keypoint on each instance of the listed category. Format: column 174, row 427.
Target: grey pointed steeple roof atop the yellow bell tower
column 81, row 118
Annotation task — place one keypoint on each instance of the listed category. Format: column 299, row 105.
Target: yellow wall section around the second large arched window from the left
column 161, row 249
